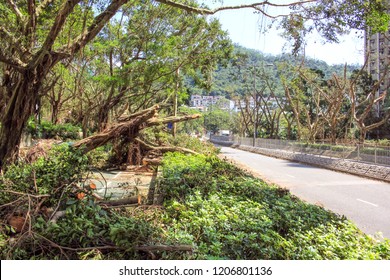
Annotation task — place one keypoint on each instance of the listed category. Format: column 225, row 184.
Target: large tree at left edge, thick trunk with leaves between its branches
column 34, row 42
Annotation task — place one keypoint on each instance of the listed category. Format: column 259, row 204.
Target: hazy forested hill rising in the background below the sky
column 224, row 81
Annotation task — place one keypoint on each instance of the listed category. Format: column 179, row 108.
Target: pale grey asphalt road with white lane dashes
column 365, row 202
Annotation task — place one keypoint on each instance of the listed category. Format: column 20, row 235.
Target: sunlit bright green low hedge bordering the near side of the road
column 227, row 214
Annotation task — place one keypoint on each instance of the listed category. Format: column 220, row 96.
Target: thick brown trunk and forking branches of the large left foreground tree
column 23, row 76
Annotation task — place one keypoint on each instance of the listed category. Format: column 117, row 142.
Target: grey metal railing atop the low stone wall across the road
column 359, row 152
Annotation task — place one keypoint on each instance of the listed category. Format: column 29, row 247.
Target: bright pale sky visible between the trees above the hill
column 244, row 25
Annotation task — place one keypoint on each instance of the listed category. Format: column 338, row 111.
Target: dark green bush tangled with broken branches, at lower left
column 57, row 183
